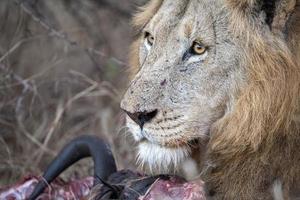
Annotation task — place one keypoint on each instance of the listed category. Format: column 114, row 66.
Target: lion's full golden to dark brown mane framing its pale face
column 259, row 139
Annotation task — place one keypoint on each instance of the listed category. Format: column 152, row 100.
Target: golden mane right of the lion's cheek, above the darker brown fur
column 268, row 105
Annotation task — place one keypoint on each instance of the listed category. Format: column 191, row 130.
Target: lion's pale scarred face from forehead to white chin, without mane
column 188, row 75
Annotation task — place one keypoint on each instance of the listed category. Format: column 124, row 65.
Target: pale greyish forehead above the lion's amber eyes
column 184, row 19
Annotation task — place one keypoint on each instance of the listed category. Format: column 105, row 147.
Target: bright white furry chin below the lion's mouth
column 157, row 159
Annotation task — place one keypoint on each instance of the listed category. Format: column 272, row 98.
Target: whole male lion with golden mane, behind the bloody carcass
column 215, row 86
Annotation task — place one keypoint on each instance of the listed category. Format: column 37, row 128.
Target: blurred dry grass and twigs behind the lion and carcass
column 63, row 70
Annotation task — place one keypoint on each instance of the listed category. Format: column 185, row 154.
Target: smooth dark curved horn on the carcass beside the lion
column 77, row 149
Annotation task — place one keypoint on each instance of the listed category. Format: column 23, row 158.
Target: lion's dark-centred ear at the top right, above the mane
column 273, row 13
